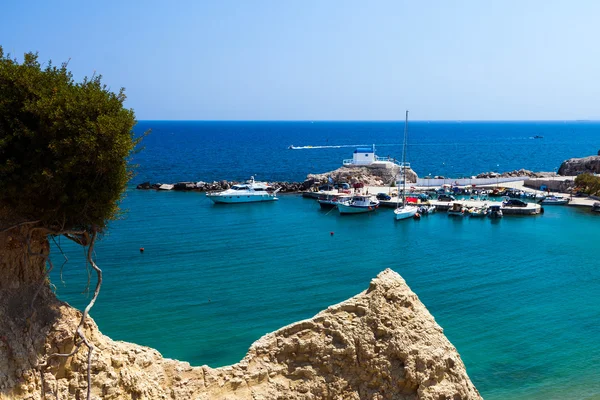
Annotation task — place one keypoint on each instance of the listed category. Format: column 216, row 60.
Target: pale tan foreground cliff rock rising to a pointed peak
column 380, row 344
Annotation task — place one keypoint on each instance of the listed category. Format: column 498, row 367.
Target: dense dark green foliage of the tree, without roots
column 64, row 145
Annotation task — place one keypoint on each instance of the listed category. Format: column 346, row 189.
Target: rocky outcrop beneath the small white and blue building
column 370, row 176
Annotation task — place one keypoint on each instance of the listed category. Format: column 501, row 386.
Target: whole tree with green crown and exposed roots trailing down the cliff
column 64, row 149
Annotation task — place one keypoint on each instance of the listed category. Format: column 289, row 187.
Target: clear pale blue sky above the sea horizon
column 326, row 60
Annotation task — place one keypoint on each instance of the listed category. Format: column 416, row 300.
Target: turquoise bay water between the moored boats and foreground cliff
column 518, row 297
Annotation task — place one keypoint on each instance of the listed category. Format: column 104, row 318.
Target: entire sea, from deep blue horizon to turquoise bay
column 518, row 297
